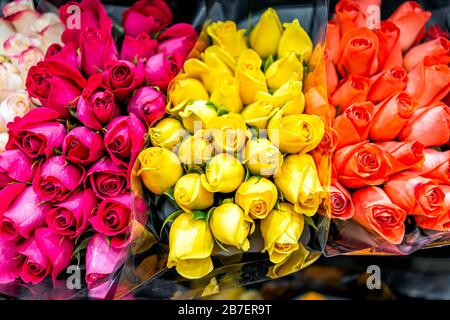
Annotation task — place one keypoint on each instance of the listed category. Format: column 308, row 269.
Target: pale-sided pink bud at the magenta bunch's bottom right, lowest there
column 102, row 260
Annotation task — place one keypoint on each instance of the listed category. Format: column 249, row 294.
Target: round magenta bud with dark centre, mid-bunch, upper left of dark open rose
column 83, row 146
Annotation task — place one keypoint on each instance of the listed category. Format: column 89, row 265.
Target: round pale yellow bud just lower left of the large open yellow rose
column 262, row 157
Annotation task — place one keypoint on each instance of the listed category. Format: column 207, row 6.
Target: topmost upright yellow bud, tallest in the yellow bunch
column 266, row 34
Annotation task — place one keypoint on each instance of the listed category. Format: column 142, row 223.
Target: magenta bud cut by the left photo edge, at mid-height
column 15, row 166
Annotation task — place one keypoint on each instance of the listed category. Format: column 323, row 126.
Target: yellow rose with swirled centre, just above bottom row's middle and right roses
column 257, row 196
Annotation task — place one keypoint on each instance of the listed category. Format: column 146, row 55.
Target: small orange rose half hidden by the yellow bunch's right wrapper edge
column 341, row 202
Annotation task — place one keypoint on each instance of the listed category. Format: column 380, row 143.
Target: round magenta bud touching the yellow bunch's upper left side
column 148, row 104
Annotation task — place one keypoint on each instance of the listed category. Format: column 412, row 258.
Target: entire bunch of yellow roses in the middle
column 232, row 150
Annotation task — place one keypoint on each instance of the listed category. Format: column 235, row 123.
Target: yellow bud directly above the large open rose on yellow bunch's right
column 290, row 95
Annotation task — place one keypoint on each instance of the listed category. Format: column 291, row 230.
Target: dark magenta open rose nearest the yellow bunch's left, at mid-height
column 107, row 179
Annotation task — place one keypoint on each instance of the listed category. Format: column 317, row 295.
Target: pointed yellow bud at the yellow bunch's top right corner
column 295, row 39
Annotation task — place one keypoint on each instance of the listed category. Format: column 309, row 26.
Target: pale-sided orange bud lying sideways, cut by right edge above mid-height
column 434, row 118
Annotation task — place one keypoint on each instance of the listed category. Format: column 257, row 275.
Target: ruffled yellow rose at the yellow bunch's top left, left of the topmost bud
column 226, row 35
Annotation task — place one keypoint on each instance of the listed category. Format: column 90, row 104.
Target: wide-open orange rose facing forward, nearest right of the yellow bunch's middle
column 362, row 164
